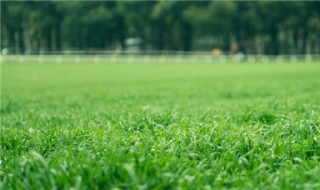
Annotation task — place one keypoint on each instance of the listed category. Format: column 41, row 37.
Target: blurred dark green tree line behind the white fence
column 260, row 27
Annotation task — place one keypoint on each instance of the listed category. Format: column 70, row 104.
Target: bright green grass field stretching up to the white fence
column 160, row 126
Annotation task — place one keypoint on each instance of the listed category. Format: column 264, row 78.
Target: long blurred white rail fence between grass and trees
column 159, row 58
